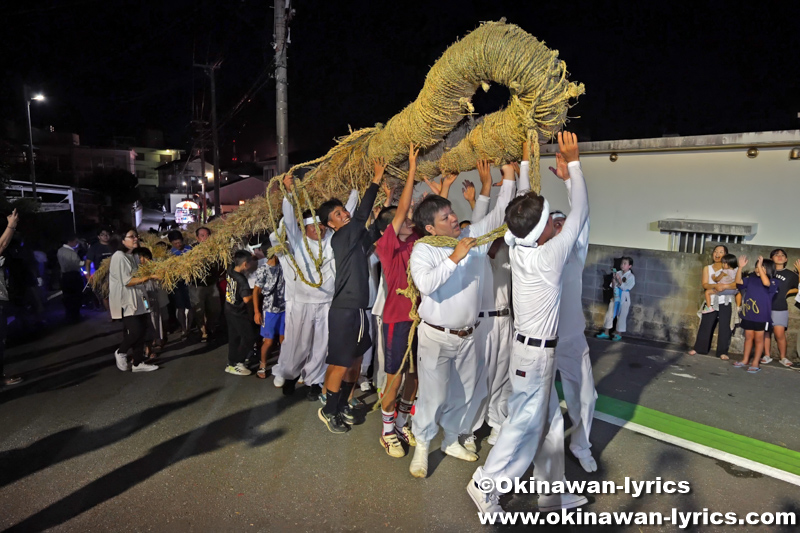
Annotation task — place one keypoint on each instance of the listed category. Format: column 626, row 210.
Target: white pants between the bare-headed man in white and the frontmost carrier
column 490, row 400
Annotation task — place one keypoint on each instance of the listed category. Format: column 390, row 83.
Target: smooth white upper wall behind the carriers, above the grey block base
column 629, row 196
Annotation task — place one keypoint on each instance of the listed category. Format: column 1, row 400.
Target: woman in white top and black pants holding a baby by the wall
column 709, row 321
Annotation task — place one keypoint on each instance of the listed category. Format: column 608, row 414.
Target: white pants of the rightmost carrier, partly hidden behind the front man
column 577, row 381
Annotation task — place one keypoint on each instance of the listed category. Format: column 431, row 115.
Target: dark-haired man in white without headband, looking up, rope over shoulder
column 450, row 282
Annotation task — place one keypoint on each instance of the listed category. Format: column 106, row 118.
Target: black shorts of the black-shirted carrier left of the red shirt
column 348, row 335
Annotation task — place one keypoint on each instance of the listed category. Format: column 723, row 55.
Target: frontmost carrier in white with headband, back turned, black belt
column 534, row 429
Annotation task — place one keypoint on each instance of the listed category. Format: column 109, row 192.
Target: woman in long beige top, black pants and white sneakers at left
column 129, row 303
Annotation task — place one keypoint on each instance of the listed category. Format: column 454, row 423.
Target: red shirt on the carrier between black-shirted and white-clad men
column 394, row 255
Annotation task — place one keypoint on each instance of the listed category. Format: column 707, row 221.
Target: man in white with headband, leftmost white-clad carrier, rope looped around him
column 306, row 332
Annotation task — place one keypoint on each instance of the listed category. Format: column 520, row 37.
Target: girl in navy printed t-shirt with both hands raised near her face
column 758, row 290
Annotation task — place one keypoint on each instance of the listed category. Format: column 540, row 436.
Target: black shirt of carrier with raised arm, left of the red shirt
column 350, row 245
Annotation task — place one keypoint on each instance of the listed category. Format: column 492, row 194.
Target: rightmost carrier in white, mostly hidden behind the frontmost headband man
column 572, row 352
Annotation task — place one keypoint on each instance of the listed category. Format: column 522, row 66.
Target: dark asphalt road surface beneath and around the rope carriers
column 85, row 447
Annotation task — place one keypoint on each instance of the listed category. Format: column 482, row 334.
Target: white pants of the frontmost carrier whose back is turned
column 534, row 429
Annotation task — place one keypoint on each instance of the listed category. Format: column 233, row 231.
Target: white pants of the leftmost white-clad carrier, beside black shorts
column 305, row 343
